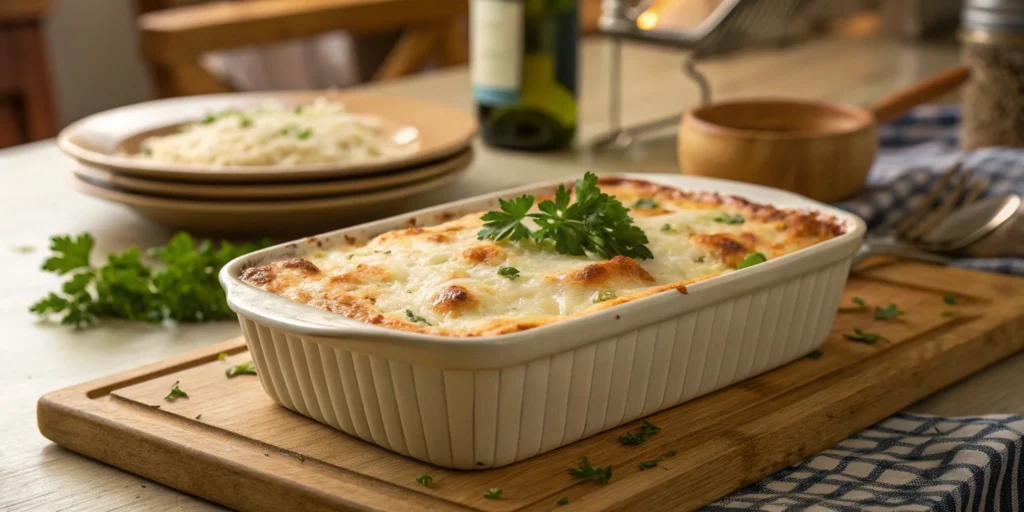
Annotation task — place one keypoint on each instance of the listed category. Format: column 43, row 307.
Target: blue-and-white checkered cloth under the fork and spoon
column 915, row 152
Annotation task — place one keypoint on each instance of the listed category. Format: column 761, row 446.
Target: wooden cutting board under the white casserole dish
column 229, row 443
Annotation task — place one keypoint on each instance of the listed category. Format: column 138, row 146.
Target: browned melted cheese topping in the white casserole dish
column 442, row 280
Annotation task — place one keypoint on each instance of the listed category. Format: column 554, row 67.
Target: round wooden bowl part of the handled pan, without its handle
column 822, row 151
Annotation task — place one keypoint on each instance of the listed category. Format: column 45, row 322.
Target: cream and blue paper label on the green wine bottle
column 496, row 51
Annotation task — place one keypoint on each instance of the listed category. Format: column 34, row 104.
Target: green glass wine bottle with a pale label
column 524, row 72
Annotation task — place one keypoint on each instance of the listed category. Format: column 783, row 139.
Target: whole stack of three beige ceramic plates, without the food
column 267, row 200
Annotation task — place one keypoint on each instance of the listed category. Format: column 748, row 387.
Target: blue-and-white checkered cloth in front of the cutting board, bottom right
column 907, row 463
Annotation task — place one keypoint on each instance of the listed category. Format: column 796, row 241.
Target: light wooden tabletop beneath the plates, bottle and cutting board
column 36, row 203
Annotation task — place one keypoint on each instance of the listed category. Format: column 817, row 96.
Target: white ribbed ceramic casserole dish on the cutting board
column 488, row 402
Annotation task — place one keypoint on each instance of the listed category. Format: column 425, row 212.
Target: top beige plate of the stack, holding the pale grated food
column 101, row 140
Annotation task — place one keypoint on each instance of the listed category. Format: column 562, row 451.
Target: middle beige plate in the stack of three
column 320, row 189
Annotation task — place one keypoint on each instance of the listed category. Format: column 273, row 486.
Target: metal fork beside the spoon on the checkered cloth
column 911, row 239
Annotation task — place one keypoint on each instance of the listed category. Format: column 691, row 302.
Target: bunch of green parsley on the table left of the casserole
column 178, row 282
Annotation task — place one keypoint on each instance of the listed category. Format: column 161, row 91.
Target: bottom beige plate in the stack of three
column 292, row 218
